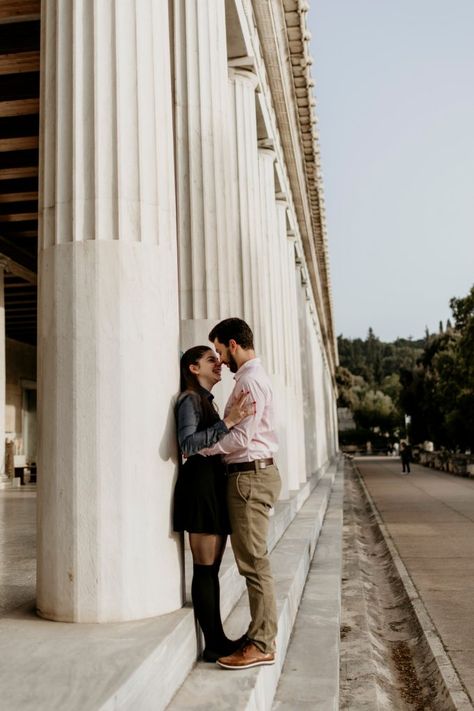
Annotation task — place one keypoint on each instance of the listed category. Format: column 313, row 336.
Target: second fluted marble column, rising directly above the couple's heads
column 207, row 254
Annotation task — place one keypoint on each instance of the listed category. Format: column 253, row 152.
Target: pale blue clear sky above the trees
column 394, row 85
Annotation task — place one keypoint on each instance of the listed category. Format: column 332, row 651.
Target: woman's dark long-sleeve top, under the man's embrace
column 192, row 435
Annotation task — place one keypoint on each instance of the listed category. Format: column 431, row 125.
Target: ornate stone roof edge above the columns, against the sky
column 296, row 114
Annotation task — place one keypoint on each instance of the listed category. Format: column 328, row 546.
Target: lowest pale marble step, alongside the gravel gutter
column 310, row 676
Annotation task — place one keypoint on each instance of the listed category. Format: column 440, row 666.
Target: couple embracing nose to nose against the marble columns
column 227, row 485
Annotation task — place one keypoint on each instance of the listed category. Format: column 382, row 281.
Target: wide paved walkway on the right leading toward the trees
column 430, row 516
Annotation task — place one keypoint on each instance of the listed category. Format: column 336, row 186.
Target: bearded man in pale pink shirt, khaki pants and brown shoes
column 253, row 488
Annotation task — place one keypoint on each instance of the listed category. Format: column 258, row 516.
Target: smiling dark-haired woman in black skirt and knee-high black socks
column 200, row 496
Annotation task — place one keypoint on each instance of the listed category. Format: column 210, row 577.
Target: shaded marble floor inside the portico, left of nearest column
column 17, row 548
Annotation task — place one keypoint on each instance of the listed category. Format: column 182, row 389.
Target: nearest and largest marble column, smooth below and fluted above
column 108, row 313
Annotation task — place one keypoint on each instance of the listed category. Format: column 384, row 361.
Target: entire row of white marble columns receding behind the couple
column 159, row 215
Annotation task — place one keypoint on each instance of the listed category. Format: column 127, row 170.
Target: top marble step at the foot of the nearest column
column 135, row 666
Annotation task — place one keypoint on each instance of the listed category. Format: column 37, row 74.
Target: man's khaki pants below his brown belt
column 250, row 496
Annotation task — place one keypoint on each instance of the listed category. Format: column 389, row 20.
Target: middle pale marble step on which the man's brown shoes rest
column 210, row 687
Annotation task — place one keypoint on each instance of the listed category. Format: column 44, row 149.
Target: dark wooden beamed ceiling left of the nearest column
column 19, row 128
